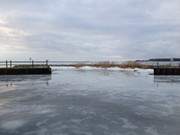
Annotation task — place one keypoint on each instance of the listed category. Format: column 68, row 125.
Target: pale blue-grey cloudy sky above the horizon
column 89, row 29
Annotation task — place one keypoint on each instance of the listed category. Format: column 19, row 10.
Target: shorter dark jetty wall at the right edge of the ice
column 166, row 70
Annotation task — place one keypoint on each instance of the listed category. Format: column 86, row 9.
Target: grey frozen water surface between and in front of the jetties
column 90, row 102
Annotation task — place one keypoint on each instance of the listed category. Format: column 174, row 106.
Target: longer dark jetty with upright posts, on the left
column 25, row 68
